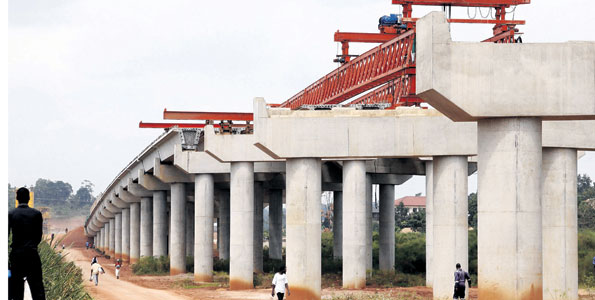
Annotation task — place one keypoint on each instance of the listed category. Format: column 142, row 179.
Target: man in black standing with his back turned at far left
column 26, row 225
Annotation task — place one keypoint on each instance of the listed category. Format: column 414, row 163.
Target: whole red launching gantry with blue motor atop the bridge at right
column 391, row 65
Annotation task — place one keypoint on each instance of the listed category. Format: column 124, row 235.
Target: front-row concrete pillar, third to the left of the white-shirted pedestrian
column 177, row 253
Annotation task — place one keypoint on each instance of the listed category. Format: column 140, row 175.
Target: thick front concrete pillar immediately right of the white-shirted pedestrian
column 303, row 227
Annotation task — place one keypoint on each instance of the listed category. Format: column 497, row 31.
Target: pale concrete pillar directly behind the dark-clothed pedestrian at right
column 450, row 221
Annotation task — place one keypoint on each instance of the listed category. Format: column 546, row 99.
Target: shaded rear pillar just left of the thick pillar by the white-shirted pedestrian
column 276, row 224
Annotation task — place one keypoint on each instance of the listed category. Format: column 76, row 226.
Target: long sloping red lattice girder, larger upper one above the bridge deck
column 373, row 68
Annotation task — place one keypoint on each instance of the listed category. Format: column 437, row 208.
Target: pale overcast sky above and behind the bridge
column 82, row 74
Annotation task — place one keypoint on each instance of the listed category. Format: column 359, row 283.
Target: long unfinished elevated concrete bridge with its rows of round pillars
column 526, row 163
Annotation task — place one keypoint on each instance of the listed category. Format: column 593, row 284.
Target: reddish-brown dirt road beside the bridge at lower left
column 110, row 288
